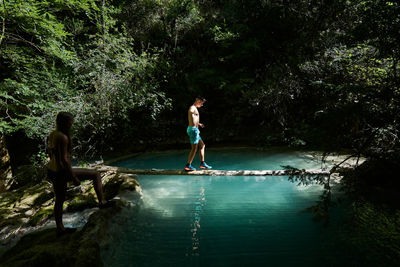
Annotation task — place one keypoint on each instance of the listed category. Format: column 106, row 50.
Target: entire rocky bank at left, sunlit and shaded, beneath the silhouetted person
column 27, row 228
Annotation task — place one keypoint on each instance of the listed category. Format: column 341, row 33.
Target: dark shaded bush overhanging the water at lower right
column 364, row 201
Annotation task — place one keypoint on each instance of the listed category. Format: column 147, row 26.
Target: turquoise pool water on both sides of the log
column 217, row 220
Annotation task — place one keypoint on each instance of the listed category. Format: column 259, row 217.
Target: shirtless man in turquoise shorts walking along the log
column 194, row 135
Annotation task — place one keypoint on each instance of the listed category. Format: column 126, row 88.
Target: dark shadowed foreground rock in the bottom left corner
column 44, row 248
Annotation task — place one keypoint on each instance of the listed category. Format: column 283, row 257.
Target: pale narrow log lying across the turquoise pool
column 211, row 172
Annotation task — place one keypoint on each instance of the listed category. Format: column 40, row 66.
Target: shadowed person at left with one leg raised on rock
column 60, row 171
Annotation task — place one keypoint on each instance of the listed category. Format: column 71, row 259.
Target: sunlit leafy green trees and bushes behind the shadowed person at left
column 69, row 55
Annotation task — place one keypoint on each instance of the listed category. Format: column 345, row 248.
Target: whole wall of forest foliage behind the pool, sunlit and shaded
column 315, row 73
